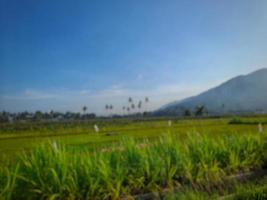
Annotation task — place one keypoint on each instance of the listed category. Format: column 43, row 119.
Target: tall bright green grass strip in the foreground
column 132, row 167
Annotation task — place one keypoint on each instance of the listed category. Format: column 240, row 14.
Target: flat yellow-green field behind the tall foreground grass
column 15, row 137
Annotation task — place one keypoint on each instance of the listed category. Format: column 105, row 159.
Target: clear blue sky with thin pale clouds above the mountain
column 61, row 55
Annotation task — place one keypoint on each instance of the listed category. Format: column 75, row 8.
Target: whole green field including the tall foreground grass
column 134, row 159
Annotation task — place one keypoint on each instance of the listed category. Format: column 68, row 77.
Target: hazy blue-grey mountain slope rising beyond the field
column 245, row 93
